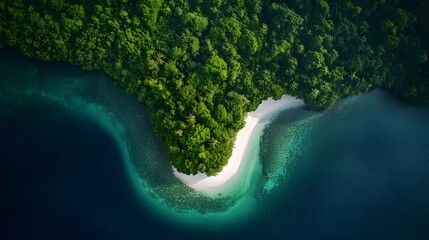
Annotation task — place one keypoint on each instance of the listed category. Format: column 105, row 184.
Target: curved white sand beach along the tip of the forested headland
column 266, row 110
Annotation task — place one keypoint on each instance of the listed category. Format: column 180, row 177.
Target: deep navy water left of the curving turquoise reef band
column 60, row 176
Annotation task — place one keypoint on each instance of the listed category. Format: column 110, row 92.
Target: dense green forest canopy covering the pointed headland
column 200, row 65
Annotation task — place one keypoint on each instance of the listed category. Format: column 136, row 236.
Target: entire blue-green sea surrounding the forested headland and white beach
column 78, row 158
